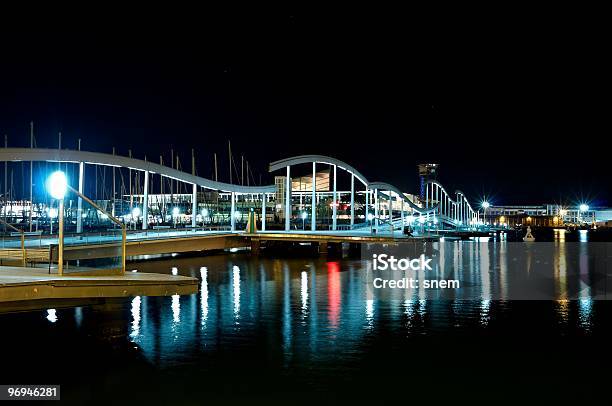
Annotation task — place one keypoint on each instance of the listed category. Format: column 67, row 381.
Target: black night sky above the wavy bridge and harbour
column 516, row 110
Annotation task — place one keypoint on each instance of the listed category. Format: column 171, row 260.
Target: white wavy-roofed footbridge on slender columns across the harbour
column 312, row 194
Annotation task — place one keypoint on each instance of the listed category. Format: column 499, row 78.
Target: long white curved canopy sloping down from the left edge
column 97, row 158
